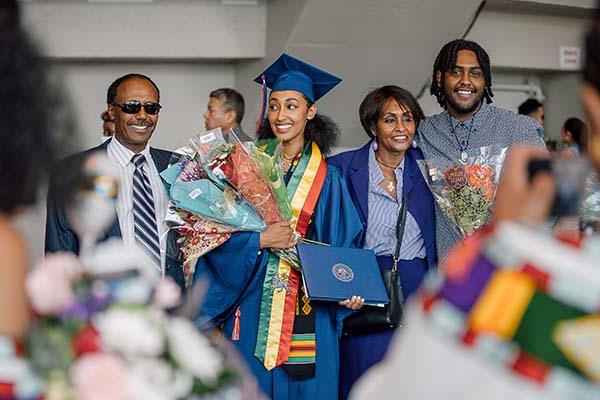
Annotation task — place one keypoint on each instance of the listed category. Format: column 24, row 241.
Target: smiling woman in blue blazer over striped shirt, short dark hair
column 378, row 176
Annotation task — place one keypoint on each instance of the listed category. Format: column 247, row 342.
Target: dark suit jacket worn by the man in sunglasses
column 59, row 233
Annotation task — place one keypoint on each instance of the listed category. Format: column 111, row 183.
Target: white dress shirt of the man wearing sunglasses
column 121, row 157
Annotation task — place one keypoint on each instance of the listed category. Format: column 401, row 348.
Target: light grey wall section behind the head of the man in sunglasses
column 184, row 89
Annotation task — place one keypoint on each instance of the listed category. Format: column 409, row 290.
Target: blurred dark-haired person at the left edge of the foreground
column 27, row 111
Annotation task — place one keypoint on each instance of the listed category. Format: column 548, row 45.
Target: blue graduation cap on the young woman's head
column 290, row 73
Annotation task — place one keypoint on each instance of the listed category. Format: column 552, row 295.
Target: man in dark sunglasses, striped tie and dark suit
column 133, row 105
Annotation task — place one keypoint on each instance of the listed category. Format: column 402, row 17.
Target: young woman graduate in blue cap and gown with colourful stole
column 289, row 342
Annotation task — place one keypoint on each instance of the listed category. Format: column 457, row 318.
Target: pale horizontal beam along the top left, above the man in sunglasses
column 200, row 29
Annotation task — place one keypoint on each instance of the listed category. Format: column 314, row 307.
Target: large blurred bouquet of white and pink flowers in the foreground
column 103, row 332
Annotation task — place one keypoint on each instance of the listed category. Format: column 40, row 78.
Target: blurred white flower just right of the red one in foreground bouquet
column 131, row 332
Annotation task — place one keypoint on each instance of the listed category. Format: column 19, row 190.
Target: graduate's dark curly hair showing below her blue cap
column 321, row 129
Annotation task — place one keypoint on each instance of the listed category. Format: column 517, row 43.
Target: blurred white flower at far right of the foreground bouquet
column 193, row 351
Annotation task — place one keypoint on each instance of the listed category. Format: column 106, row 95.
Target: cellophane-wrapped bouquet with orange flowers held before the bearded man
column 465, row 192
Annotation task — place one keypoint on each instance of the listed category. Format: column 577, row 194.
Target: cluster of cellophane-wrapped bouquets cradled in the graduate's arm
column 218, row 188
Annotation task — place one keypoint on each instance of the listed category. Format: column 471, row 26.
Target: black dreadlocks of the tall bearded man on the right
column 446, row 60
